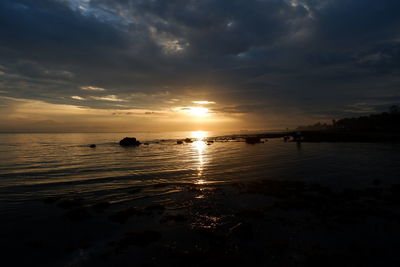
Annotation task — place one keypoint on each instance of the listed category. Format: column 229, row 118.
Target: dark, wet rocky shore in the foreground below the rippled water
column 264, row 222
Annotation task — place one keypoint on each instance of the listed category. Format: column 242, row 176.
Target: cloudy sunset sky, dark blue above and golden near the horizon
column 153, row 65
